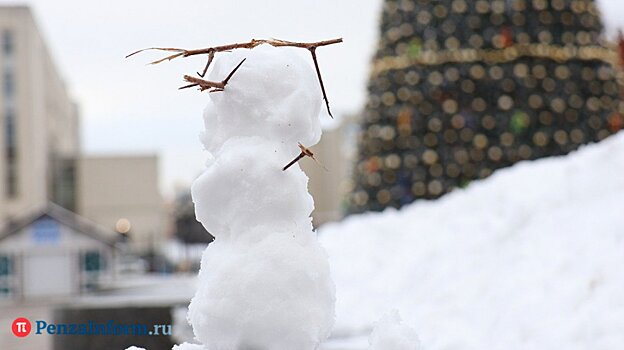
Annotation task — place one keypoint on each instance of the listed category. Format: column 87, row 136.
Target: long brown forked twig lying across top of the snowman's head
column 211, row 51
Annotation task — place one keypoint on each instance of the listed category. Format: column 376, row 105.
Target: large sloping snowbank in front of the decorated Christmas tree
column 530, row 258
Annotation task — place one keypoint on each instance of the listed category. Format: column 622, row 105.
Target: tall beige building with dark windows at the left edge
column 39, row 122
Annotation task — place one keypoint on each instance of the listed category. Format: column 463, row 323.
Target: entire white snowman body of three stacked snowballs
column 264, row 282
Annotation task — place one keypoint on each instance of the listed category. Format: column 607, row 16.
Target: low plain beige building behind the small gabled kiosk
column 121, row 193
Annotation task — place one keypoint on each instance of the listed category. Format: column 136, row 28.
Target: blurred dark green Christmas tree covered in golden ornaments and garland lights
column 461, row 88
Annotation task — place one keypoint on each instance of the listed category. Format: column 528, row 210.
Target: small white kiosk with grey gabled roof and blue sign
column 53, row 252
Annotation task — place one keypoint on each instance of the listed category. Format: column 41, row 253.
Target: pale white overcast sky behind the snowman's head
column 128, row 107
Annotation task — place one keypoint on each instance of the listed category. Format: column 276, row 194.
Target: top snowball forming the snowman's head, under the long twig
column 274, row 94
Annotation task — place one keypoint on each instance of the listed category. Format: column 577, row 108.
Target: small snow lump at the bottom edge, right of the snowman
column 391, row 334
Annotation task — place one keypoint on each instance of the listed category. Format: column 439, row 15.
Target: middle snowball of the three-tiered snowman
column 246, row 190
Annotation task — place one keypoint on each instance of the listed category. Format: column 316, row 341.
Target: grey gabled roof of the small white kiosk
column 65, row 217
